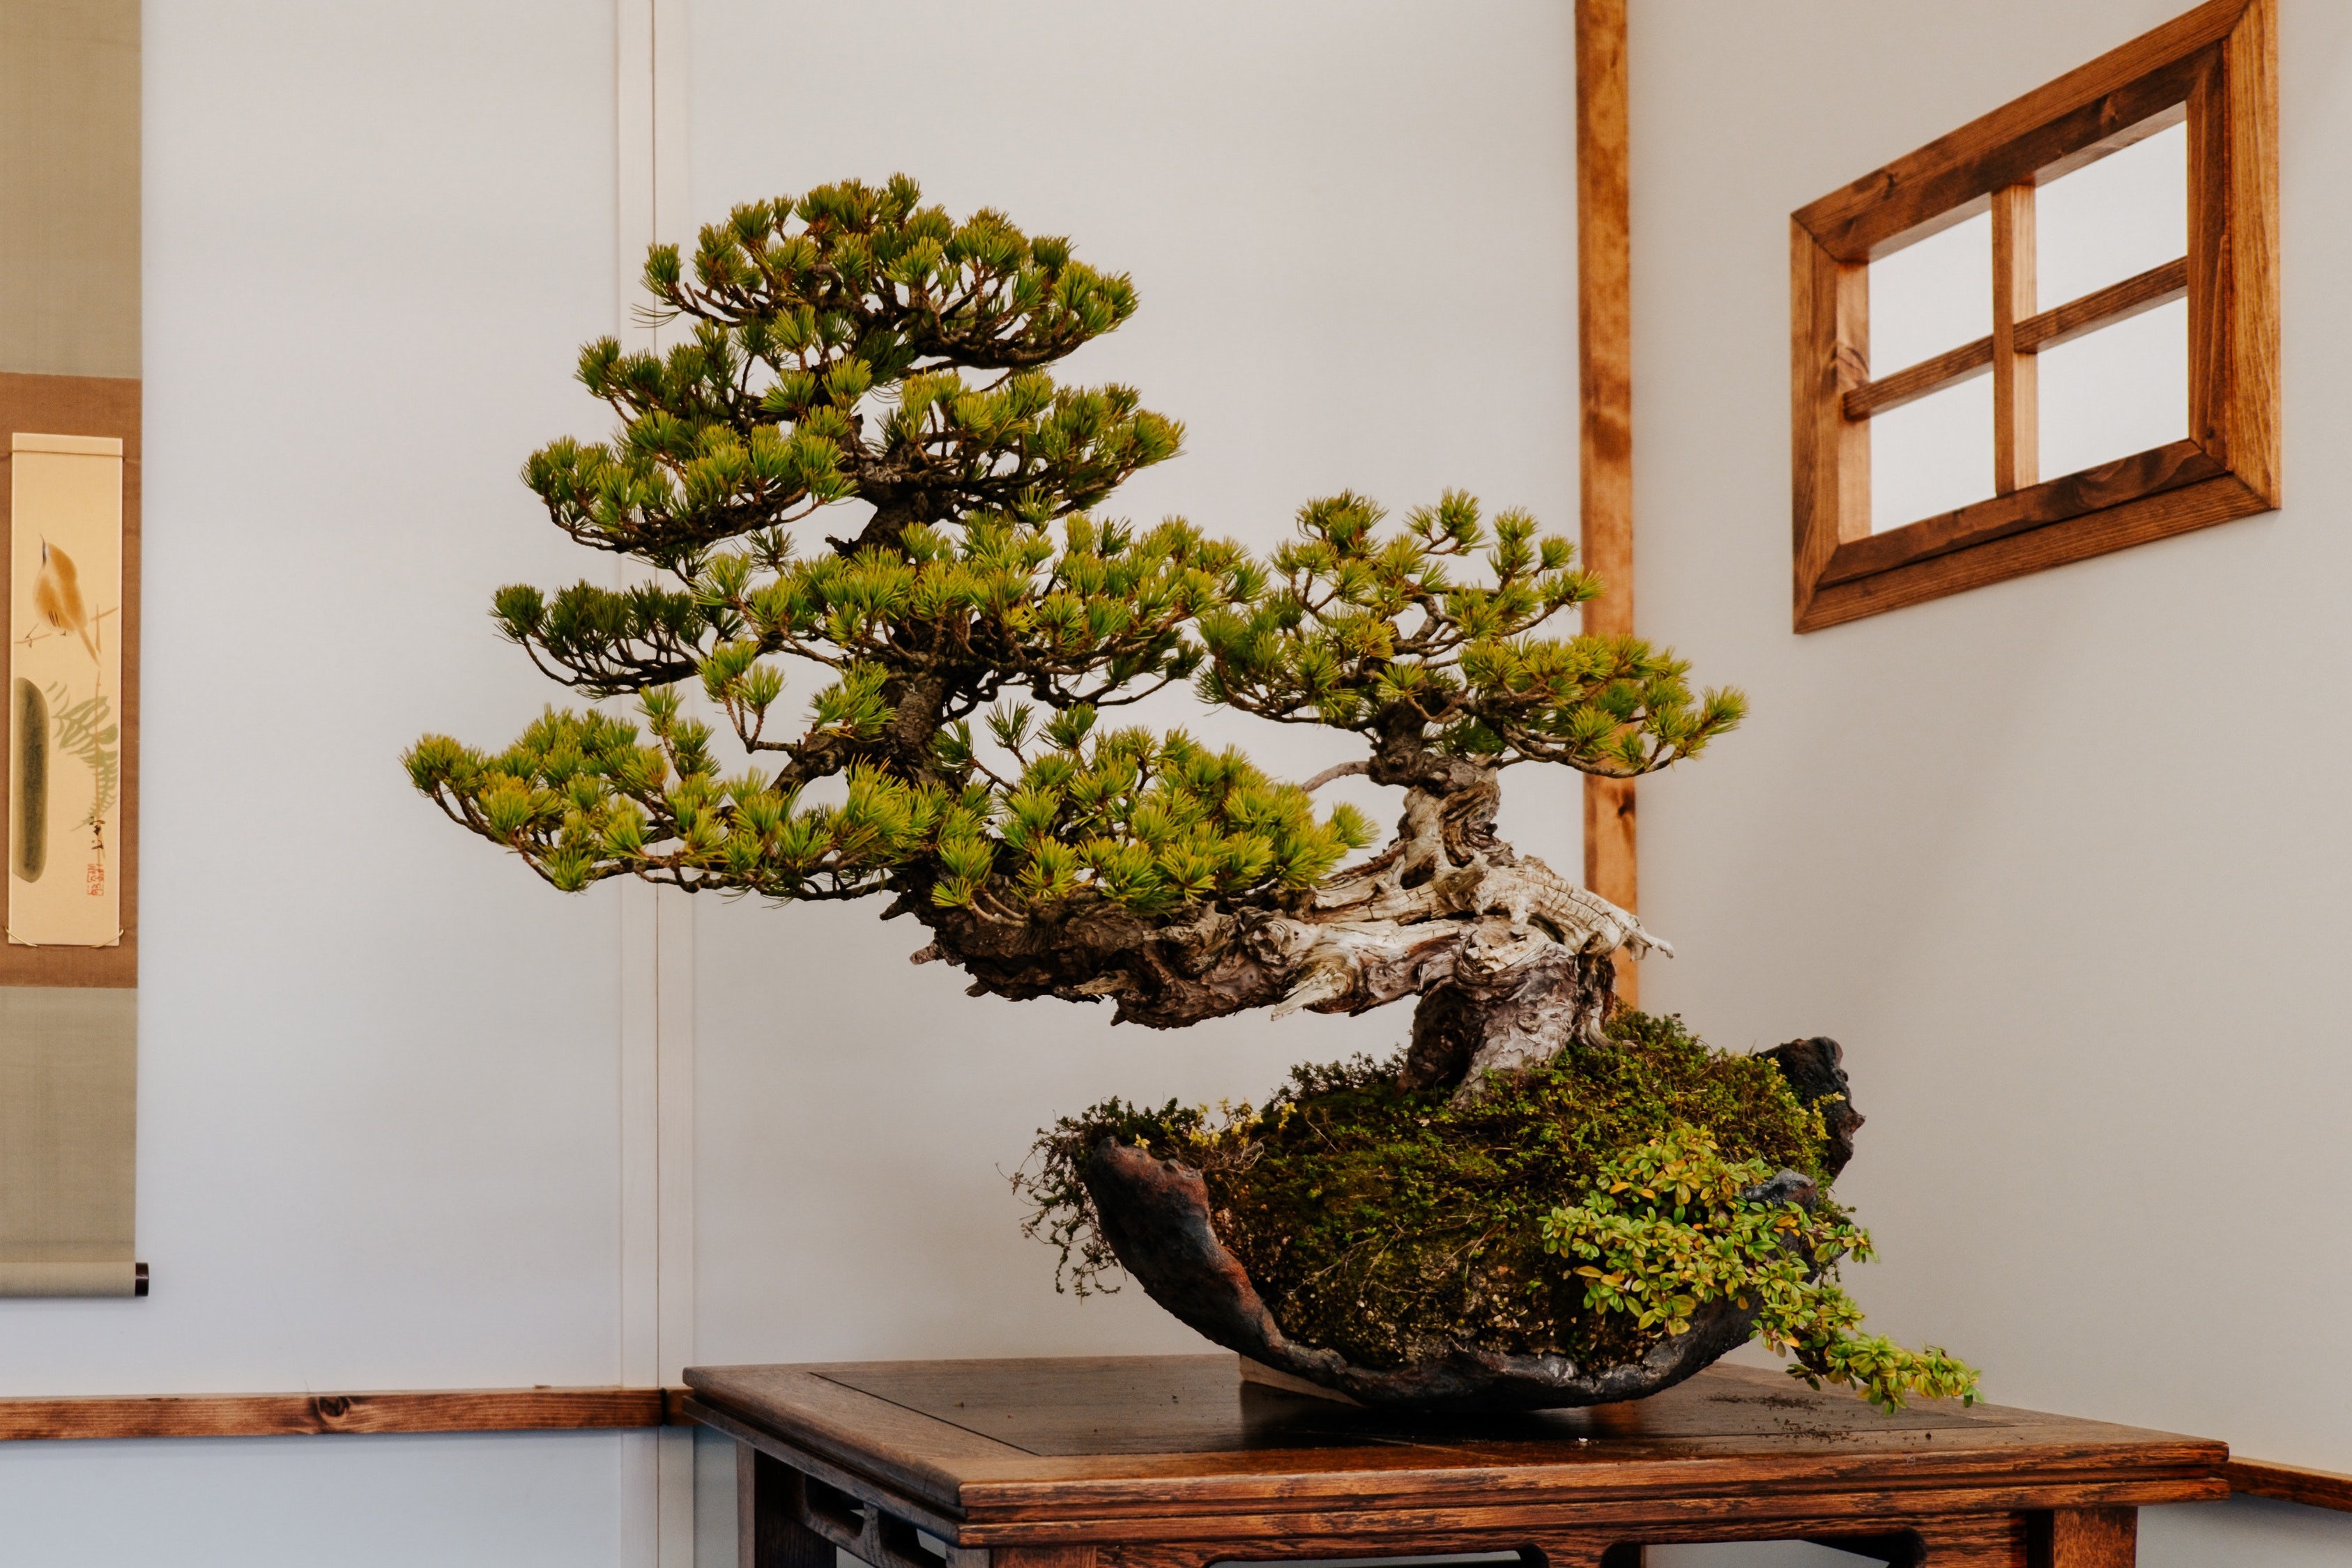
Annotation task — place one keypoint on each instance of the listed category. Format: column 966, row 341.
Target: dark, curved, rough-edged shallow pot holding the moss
column 1156, row 1217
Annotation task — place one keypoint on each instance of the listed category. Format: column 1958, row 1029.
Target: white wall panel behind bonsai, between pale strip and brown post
column 1354, row 236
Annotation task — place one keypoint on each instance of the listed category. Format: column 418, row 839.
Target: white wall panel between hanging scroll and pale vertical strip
column 377, row 1066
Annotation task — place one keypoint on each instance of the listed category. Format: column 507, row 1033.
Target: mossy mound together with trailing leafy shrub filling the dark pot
column 1586, row 1209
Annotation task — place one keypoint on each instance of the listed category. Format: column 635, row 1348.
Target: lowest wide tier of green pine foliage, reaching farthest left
column 1140, row 819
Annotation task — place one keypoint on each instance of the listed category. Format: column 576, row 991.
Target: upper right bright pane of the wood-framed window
column 2113, row 220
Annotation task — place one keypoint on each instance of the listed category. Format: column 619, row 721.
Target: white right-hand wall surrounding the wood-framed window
column 2059, row 862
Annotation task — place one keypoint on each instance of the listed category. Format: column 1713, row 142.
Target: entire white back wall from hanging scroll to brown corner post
column 385, row 1130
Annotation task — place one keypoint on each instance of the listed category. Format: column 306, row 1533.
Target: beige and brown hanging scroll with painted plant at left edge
column 69, row 695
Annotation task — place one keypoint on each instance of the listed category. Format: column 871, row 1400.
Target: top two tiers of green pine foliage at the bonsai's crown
column 806, row 309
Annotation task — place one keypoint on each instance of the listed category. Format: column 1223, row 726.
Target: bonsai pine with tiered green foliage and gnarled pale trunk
column 975, row 622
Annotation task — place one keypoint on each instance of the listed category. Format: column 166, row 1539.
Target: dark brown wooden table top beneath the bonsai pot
column 1095, row 1438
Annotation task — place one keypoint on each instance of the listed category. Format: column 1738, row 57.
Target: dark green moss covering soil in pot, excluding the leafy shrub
column 1394, row 1226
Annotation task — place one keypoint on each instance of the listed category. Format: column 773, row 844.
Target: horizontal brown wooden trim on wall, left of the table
column 596, row 1409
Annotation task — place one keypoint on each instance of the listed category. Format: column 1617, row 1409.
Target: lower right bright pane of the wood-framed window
column 2116, row 391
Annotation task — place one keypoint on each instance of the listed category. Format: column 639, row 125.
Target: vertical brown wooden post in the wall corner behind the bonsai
column 1605, row 415
